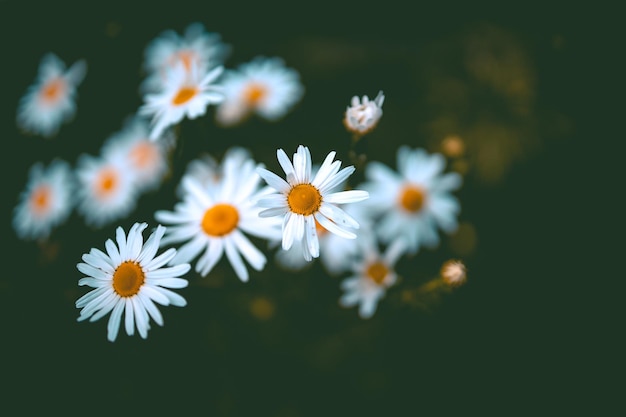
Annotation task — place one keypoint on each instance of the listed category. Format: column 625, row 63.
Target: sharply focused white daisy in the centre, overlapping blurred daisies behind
column 301, row 200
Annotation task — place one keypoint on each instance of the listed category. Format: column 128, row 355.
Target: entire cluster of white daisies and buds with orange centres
column 233, row 208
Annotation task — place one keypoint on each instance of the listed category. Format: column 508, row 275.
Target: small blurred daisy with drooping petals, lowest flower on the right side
column 373, row 274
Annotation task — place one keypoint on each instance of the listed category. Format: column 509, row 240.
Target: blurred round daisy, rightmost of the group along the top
column 264, row 86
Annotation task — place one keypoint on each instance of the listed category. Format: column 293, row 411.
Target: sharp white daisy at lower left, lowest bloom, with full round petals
column 129, row 279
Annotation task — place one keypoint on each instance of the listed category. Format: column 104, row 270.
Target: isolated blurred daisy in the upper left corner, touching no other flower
column 51, row 100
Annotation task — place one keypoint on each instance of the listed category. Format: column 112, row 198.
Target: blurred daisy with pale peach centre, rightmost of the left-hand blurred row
column 146, row 159
